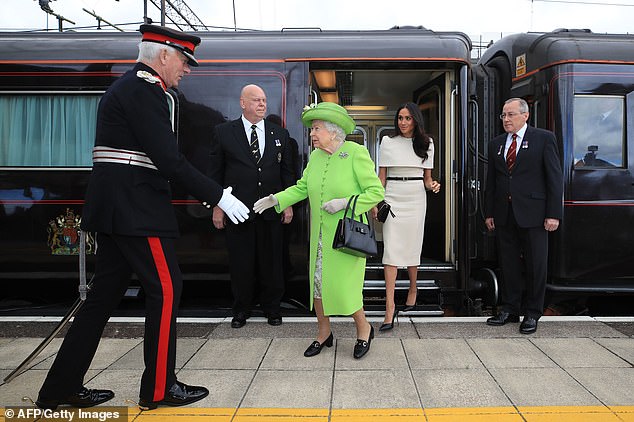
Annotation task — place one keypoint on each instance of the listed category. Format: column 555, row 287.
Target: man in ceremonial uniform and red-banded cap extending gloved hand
column 128, row 205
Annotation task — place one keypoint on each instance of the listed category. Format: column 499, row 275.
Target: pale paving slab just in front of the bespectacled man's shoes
column 509, row 353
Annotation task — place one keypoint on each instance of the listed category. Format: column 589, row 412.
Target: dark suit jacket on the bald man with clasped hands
column 233, row 164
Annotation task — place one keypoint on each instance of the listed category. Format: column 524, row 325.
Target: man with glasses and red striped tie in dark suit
column 524, row 202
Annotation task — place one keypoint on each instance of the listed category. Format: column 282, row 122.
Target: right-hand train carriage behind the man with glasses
column 580, row 85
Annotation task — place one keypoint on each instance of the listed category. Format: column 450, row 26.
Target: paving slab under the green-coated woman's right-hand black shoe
column 384, row 353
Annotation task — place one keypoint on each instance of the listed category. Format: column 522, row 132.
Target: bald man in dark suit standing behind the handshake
column 255, row 157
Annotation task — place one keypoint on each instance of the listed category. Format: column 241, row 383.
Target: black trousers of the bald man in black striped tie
column 255, row 257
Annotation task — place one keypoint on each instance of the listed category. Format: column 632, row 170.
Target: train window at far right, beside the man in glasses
column 598, row 131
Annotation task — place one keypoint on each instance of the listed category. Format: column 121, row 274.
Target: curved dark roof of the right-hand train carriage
column 560, row 46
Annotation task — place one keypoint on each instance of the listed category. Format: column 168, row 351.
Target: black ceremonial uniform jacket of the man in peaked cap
column 132, row 200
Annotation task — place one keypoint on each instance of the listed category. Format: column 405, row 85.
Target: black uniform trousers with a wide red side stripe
column 153, row 259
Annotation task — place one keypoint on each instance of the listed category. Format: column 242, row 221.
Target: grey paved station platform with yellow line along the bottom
column 426, row 369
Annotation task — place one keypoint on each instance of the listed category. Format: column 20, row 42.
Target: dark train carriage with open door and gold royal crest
column 50, row 85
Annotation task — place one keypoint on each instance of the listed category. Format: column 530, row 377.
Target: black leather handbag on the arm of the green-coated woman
column 354, row 237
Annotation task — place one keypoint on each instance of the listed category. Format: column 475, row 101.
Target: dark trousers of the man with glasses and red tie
column 531, row 243
